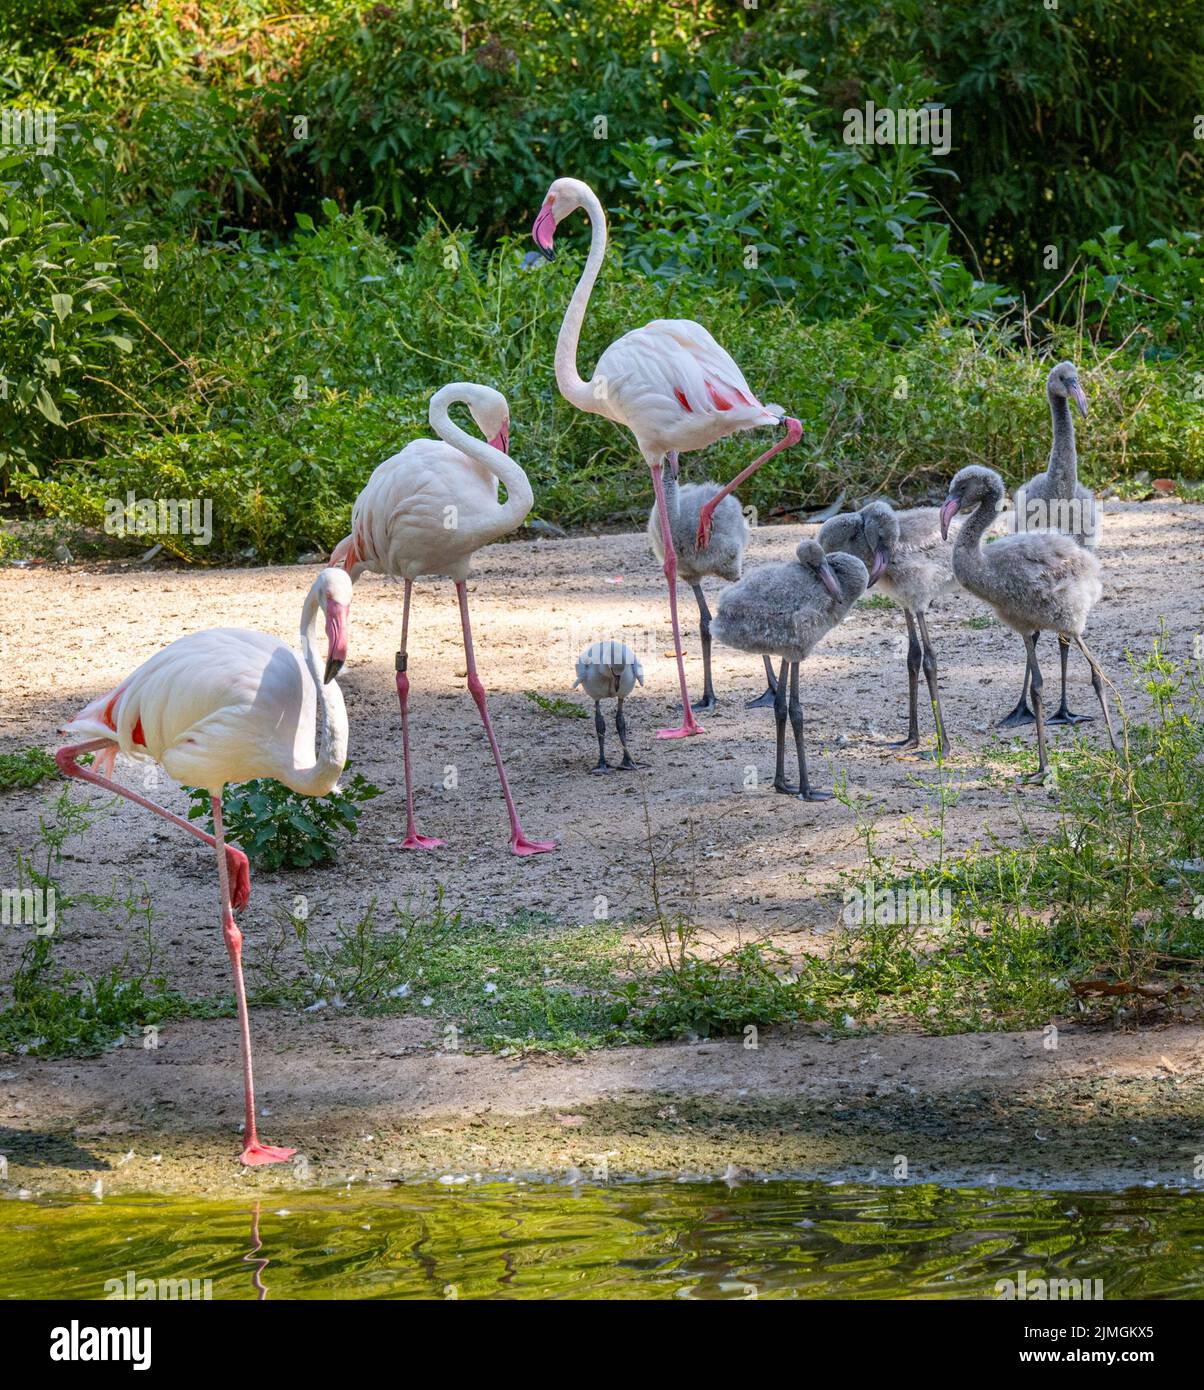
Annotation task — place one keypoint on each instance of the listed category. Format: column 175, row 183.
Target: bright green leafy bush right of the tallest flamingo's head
column 833, row 230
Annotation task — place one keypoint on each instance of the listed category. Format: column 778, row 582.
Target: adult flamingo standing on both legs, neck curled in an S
column 428, row 511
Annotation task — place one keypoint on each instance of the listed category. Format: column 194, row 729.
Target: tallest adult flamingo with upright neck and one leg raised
column 669, row 383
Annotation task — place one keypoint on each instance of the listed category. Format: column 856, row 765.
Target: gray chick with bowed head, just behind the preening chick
column 913, row 565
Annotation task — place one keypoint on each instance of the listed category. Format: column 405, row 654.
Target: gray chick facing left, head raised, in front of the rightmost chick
column 1036, row 582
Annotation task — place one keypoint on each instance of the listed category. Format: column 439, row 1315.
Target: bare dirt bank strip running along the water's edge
column 375, row 1100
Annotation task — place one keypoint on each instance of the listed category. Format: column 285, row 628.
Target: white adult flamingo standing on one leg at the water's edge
column 229, row 705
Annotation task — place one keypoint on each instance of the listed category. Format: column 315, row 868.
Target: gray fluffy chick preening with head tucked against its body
column 783, row 611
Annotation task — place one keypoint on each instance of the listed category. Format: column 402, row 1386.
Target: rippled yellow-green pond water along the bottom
column 639, row 1241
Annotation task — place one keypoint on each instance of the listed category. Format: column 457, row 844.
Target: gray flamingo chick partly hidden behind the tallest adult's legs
column 724, row 555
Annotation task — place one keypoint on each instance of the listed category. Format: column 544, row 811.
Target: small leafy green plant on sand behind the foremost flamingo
column 280, row 829
